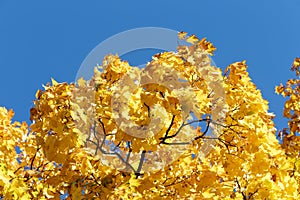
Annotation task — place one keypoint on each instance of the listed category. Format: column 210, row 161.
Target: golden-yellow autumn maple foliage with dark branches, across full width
column 178, row 129
